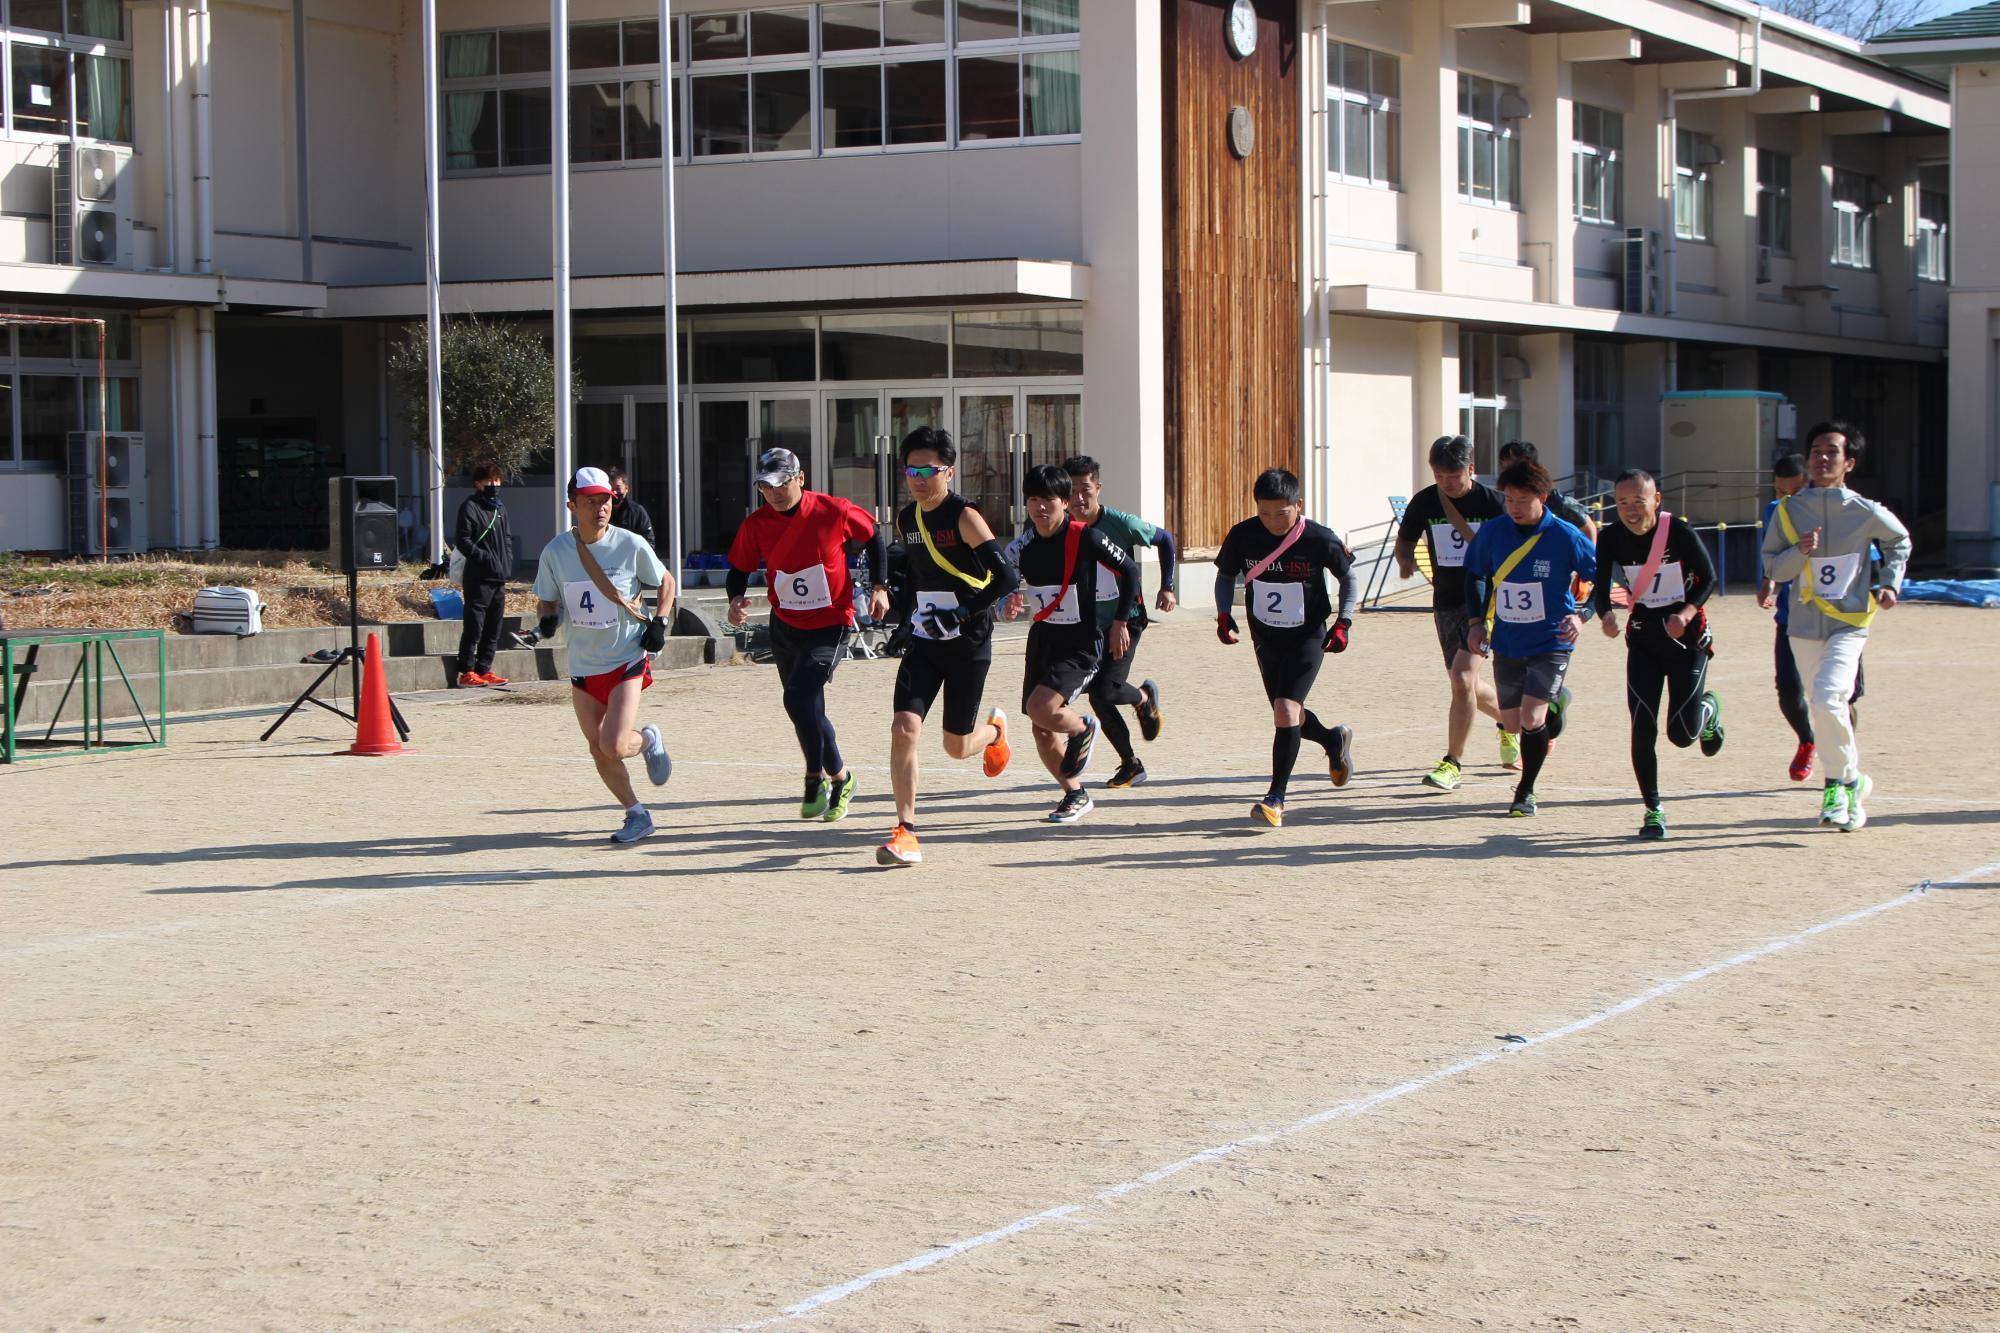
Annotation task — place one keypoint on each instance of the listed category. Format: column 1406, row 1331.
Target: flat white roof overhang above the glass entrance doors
column 769, row 289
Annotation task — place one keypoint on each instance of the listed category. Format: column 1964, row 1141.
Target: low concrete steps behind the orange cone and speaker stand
column 219, row 672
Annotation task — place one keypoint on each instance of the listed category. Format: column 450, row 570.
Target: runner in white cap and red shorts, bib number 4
column 593, row 577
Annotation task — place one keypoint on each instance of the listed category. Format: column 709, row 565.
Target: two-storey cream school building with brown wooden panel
column 1193, row 239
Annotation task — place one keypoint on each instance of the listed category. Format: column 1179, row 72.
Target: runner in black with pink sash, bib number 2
column 1285, row 559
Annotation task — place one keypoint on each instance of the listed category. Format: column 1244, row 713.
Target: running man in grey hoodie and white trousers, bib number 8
column 1821, row 541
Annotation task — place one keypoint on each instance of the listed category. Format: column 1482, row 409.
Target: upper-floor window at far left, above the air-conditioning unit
column 69, row 69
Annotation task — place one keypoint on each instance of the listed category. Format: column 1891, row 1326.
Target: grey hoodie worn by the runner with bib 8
column 1849, row 525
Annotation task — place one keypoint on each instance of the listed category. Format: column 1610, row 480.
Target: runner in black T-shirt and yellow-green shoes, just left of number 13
column 1449, row 515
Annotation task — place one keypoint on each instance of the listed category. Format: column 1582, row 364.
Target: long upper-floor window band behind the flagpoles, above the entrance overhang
column 803, row 81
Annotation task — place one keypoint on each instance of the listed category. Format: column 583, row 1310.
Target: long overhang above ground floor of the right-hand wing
column 1537, row 317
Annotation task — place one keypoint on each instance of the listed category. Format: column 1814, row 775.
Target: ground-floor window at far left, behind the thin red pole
column 49, row 385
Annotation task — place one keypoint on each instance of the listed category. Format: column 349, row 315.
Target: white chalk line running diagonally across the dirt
column 1349, row 1110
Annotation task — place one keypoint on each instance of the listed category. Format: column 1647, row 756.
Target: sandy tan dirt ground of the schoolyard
column 305, row 1042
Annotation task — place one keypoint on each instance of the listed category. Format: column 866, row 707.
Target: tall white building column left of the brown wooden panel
column 1125, row 245
